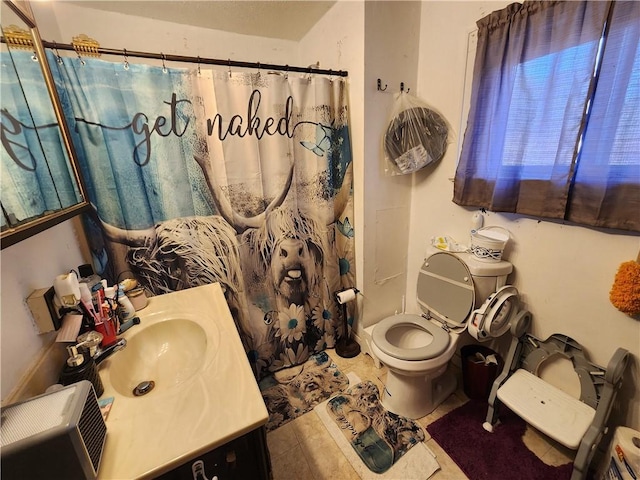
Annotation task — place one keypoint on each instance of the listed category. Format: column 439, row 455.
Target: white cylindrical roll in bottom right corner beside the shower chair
column 624, row 455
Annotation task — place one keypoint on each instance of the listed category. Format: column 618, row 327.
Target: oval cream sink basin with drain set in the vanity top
column 167, row 353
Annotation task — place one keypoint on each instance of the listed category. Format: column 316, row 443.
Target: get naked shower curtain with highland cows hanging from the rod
column 200, row 176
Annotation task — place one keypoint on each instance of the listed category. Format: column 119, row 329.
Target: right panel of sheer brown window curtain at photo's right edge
column 607, row 183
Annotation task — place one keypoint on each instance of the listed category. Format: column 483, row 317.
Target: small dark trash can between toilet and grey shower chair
column 478, row 377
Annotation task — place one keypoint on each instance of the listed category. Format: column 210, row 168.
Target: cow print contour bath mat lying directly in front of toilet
column 378, row 436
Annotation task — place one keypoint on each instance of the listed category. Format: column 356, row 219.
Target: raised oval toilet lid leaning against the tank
column 445, row 289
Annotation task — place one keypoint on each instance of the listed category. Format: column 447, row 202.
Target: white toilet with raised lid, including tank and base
column 417, row 348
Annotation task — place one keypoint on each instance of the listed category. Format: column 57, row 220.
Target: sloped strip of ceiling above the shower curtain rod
column 288, row 19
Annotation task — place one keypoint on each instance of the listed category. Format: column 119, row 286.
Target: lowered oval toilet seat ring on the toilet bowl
column 383, row 332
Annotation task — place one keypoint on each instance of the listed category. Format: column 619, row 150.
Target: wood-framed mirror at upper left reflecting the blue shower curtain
column 40, row 181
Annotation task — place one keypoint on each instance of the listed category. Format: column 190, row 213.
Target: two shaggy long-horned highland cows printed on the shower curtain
column 278, row 256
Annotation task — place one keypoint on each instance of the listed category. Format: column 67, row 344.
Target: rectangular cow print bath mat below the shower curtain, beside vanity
column 294, row 391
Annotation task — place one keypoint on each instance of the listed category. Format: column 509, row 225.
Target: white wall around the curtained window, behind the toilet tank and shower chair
column 564, row 272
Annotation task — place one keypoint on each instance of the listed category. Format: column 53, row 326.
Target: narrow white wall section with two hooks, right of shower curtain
column 391, row 54
